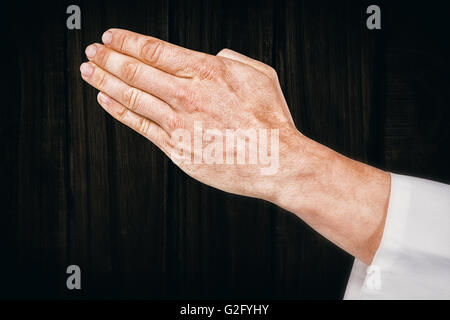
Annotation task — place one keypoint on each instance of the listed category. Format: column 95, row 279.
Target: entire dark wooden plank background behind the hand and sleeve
column 79, row 188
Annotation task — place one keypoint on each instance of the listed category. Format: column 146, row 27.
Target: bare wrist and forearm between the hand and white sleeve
column 344, row 200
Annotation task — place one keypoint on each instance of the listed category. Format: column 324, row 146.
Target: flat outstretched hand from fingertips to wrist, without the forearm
column 162, row 91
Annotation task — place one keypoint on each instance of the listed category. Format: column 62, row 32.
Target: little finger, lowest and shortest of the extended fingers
column 140, row 124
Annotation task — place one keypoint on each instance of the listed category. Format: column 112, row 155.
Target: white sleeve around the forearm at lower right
column 413, row 260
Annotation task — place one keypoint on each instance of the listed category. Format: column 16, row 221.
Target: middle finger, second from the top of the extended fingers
column 136, row 73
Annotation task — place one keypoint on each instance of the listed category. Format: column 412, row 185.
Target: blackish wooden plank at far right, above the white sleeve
column 416, row 133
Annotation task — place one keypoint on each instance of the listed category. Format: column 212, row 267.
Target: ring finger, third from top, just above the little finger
column 134, row 99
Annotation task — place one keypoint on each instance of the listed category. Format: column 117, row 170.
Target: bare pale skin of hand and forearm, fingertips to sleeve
column 155, row 87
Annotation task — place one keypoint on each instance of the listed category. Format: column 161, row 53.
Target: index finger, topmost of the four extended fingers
column 163, row 55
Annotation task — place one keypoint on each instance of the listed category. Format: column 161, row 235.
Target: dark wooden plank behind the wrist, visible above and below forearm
column 326, row 71
